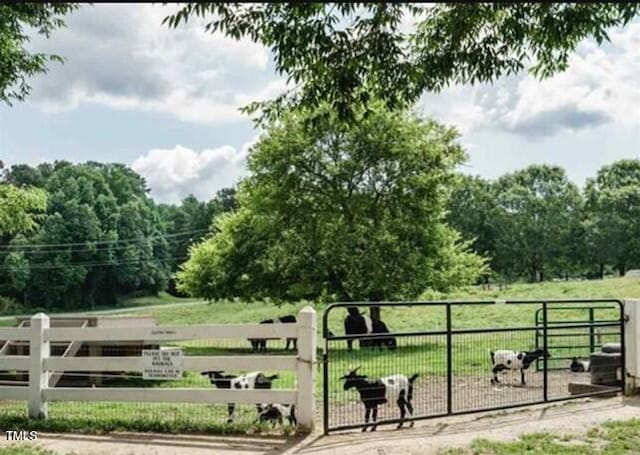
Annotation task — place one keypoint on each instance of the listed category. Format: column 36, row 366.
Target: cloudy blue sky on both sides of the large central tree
column 165, row 102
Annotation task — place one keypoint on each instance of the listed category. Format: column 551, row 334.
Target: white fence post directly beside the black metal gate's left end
column 305, row 402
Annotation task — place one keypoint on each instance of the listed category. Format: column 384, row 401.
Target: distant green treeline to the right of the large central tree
column 537, row 225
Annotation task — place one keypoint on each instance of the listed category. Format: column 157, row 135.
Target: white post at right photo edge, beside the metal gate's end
column 631, row 377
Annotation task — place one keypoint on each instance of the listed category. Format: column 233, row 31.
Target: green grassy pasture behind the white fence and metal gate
column 424, row 355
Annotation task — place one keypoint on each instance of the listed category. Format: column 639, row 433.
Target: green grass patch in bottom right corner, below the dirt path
column 612, row 438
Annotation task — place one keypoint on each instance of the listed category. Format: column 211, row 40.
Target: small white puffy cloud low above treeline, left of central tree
column 175, row 173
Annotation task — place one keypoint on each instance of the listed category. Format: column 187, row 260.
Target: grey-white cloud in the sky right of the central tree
column 601, row 85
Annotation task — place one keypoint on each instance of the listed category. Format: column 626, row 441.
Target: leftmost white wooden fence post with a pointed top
column 38, row 378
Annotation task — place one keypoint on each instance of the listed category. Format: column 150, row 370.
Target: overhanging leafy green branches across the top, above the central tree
column 348, row 53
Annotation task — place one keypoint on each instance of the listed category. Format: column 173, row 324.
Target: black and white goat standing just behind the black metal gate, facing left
column 374, row 392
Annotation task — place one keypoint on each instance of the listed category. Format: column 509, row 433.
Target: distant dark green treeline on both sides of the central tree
column 103, row 237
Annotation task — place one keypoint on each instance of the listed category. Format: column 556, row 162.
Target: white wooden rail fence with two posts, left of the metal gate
column 40, row 364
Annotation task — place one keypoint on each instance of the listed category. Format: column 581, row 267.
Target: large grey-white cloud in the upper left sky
column 122, row 57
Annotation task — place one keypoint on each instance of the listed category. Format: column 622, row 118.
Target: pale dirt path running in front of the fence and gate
column 427, row 437
